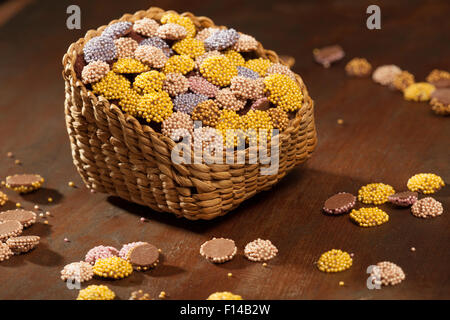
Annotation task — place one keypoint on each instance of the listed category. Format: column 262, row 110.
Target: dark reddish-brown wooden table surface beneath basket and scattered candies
column 383, row 139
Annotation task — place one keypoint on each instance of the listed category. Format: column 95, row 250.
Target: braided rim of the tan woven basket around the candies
column 76, row 48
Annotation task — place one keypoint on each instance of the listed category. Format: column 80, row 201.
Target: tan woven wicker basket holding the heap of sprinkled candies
column 117, row 155
